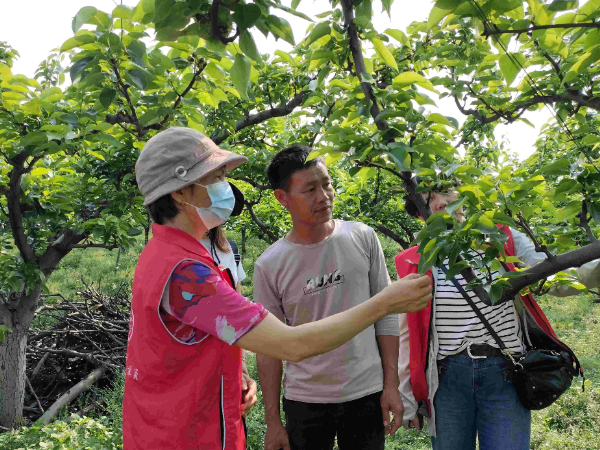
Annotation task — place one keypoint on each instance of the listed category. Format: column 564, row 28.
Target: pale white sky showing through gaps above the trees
column 36, row 27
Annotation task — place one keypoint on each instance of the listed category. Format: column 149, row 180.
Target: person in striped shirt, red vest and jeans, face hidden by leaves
column 450, row 367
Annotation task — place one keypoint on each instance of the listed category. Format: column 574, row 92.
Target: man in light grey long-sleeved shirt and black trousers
column 323, row 267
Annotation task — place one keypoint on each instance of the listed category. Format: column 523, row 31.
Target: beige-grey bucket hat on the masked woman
column 177, row 157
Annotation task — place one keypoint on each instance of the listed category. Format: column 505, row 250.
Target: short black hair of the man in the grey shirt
column 287, row 162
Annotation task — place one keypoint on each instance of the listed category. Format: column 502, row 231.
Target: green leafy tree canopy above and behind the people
column 67, row 154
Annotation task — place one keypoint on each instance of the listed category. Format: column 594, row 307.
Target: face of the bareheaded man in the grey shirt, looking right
column 309, row 198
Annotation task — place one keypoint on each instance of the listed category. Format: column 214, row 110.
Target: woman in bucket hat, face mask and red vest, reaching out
column 188, row 325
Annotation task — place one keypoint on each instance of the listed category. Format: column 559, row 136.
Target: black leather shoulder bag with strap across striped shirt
column 540, row 375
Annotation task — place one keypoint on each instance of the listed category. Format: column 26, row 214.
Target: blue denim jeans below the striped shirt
column 474, row 398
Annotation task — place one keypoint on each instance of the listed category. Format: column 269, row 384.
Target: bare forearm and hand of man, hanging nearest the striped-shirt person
column 390, row 398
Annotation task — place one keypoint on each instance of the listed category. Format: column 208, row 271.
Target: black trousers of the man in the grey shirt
column 358, row 424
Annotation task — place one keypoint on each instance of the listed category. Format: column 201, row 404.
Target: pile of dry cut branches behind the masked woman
column 82, row 341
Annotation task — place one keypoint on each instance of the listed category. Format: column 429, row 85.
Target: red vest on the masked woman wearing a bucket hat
column 177, row 396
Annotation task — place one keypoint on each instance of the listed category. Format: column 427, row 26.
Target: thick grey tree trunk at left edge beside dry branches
column 12, row 377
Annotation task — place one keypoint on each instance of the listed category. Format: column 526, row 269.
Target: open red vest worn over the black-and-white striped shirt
column 418, row 323
